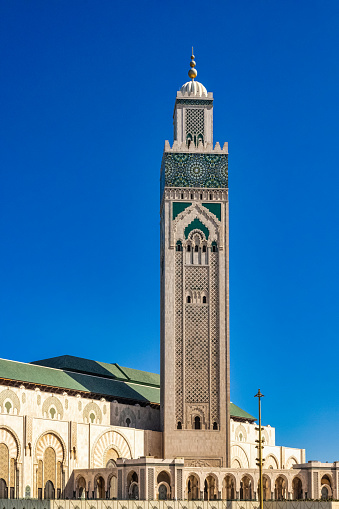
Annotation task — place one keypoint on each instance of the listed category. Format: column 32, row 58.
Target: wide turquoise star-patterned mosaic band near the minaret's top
column 194, row 170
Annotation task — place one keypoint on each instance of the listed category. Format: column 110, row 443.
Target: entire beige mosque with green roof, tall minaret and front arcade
column 82, row 429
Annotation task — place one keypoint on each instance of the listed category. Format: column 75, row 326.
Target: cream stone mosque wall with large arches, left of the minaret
column 83, row 428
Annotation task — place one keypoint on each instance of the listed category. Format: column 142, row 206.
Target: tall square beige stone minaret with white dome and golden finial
column 195, row 285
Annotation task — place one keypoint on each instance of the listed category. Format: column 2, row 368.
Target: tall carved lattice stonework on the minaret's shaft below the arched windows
column 197, row 371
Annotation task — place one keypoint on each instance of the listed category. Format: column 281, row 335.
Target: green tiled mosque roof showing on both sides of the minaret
column 84, row 375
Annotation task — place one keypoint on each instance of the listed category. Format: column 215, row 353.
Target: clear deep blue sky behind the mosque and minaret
column 87, row 96
